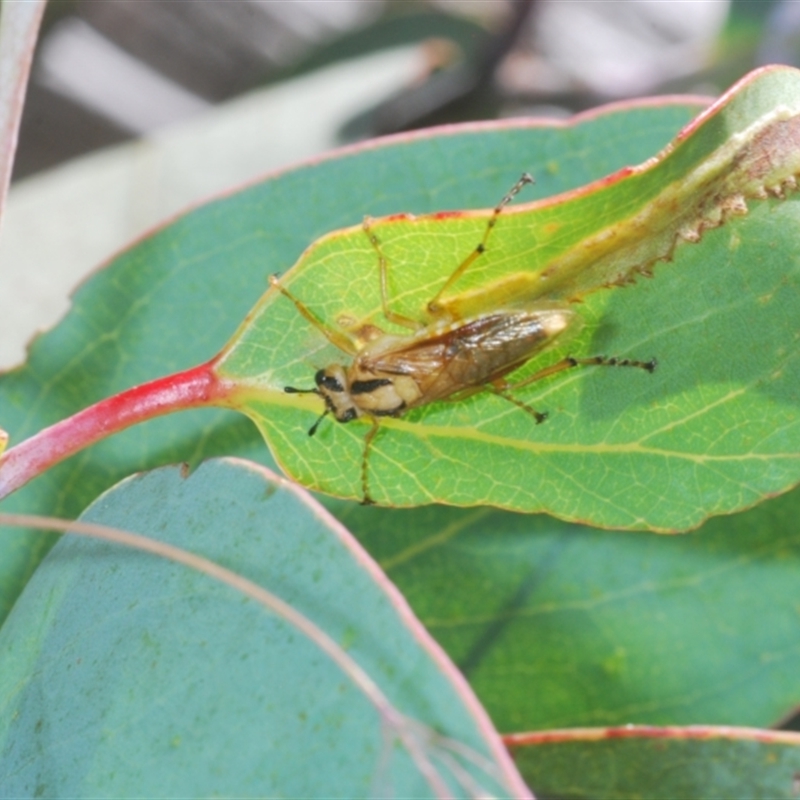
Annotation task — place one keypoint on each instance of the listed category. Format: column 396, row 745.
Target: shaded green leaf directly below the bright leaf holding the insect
column 557, row 625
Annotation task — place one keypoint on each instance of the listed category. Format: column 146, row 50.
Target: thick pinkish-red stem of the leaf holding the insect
column 194, row 388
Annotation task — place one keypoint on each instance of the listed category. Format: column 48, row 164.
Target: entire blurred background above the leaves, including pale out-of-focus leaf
column 137, row 109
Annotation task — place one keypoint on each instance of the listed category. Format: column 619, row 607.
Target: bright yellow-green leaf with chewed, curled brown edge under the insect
column 719, row 417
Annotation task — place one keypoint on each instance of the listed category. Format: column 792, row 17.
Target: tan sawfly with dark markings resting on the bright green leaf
column 447, row 357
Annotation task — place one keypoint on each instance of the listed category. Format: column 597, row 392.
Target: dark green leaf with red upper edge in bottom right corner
column 702, row 763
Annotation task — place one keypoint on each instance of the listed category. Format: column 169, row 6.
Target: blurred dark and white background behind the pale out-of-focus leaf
column 109, row 71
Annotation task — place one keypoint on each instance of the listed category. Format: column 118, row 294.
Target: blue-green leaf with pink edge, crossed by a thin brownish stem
column 124, row 675
